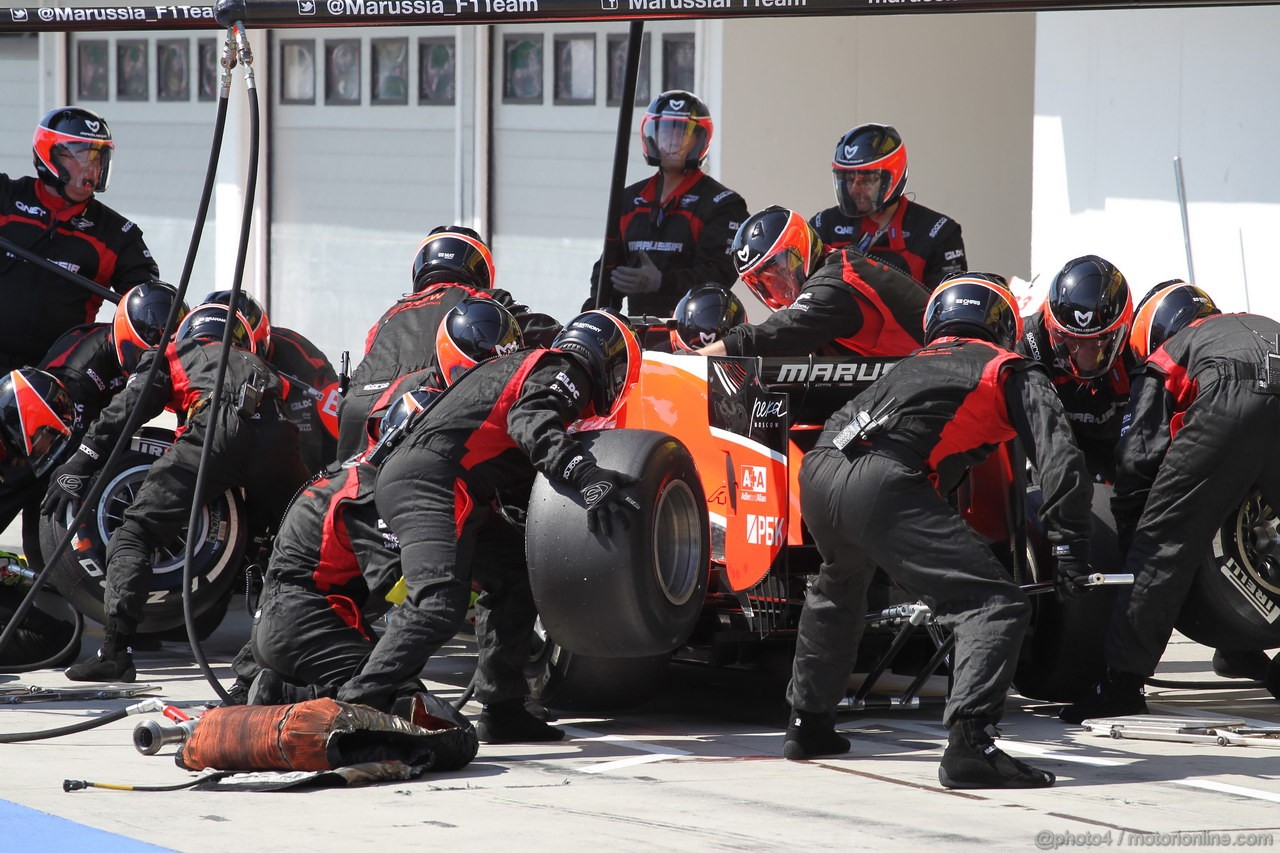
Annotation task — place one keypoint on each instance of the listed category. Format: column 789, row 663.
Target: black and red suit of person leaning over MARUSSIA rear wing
column 849, row 305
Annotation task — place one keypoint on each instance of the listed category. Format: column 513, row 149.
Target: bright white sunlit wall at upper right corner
column 1121, row 94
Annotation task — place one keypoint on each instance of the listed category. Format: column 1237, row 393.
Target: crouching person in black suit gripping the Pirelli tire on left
column 257, row 448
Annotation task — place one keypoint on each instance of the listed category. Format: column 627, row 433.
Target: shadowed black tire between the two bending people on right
column 1063, row 654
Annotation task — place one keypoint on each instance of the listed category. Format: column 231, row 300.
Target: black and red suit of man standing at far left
column 89, row 239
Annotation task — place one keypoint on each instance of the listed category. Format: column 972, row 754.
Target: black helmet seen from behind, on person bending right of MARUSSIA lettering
column 973, row 305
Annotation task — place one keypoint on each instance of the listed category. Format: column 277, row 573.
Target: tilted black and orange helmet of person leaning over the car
column 775, row 252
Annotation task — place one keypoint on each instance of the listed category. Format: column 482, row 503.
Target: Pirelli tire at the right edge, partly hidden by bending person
column 1235, row 603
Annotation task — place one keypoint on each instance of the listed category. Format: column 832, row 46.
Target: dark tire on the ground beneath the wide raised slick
column 564, row 681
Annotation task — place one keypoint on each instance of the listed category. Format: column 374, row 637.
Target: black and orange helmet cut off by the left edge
column 36, row 422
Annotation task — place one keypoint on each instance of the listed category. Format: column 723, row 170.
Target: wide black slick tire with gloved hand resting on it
column 638, row 592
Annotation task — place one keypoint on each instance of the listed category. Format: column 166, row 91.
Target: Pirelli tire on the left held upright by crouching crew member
column 80, row 573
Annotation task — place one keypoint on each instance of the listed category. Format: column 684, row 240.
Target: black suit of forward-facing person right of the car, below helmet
column 1096, row 407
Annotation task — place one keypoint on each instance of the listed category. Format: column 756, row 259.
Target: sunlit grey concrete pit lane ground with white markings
column 698, row 769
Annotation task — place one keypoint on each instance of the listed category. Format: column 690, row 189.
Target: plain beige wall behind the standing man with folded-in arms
column 958, row 88
